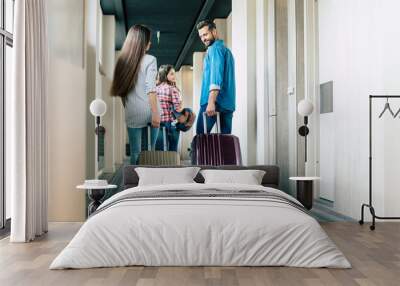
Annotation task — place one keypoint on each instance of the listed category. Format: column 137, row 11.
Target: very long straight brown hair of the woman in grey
column 128, row 63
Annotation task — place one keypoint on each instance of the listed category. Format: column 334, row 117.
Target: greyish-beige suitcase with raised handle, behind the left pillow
column 158, row 158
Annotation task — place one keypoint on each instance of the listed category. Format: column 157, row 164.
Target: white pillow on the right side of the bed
column 248, row 177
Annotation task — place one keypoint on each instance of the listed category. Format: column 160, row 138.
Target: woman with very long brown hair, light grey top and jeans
column 135, row 82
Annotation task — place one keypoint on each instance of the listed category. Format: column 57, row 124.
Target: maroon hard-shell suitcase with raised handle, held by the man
column 215, row 149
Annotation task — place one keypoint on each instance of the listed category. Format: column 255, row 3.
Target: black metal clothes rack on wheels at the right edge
column 369, row 205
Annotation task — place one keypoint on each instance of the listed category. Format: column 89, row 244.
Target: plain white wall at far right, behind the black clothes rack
column 359, row 44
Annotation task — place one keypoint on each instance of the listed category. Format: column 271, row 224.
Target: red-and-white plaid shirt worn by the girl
column 169, row 98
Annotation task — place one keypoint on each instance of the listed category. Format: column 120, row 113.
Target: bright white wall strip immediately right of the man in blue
column 244, row 52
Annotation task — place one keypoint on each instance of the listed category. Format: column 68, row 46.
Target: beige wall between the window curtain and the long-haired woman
column 74, row 82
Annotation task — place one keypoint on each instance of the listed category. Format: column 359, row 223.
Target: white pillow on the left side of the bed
column 166, row 176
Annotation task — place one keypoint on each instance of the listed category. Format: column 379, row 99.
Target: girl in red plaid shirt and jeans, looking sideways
column 170, row 100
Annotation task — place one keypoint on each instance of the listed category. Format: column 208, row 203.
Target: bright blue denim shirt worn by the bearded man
column 219, row 74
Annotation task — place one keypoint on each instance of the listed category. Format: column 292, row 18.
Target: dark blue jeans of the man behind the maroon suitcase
column 225, row 118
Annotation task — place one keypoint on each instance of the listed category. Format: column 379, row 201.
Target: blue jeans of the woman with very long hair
column 138, row 141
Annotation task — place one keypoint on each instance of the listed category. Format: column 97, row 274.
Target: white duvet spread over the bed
column 200, row 231
